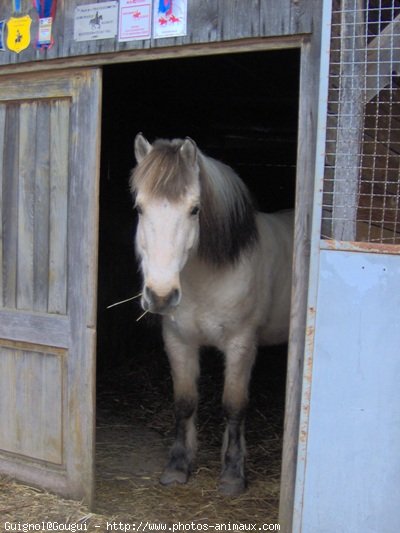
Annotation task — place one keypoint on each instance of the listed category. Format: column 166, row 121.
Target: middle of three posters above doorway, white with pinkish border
column 135, row 17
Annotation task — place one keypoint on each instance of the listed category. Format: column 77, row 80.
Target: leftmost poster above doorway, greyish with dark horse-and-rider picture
column 96, row 21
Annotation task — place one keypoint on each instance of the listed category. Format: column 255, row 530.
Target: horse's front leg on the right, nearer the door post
column 240, row 355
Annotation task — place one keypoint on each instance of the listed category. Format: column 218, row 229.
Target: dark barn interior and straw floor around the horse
column 242, row 109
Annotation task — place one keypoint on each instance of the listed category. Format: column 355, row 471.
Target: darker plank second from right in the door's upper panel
column 41, row 207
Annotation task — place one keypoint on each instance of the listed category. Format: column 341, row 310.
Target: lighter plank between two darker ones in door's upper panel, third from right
column 27, row 152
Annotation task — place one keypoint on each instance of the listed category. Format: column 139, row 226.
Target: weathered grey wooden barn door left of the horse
column 49, row 154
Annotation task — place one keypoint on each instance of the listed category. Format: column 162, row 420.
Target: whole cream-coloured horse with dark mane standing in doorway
column 219, row 274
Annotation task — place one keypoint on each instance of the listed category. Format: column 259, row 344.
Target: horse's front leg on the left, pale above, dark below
column 184, row 362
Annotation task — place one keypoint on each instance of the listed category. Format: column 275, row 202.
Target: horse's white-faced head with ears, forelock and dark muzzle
column 167, row 193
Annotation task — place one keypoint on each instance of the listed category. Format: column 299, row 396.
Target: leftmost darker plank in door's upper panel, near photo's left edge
column 10, row 205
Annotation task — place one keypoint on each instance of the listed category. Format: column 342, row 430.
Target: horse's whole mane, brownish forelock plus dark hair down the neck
column 227, row 215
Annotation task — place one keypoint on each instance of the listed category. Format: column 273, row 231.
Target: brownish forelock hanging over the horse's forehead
column 163, row 172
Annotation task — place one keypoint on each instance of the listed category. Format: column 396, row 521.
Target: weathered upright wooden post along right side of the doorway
column 305, row 183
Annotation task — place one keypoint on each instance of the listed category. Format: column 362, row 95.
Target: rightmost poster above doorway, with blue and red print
column 169, row 18
